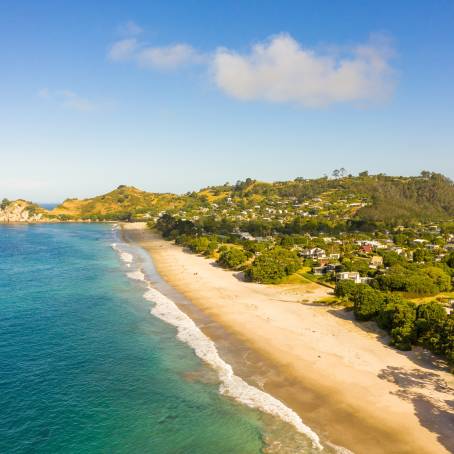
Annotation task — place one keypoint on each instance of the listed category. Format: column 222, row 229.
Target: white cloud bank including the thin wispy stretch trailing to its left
column 280, row 70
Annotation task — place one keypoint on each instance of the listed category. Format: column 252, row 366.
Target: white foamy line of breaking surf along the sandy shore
column 231, row 385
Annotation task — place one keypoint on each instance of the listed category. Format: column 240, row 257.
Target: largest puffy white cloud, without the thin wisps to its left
column 281, row 70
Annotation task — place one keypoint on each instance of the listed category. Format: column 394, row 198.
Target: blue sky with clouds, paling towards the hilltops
column 173, row 96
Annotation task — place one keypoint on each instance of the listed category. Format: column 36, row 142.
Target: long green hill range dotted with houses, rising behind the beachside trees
column 363, row 200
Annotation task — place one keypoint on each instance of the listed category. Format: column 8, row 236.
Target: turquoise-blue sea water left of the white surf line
column 85, row 367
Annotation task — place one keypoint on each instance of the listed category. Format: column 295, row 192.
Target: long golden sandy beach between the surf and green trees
column 340, row 376
